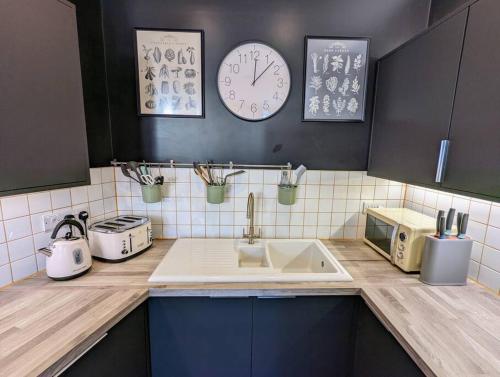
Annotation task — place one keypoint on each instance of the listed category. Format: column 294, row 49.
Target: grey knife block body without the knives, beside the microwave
column 445, row 261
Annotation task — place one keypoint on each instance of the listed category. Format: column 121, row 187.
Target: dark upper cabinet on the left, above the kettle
column 43, row 141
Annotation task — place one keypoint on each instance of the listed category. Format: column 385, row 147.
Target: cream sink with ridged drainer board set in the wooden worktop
column 196, row 260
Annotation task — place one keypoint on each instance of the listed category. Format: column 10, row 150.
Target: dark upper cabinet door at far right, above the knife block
column 474, row 157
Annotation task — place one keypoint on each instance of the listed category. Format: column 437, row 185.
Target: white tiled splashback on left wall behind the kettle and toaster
column 21, row 222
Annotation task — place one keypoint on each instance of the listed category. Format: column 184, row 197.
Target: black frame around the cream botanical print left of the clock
column 202, row 71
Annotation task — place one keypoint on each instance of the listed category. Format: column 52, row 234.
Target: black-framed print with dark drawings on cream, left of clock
column 170, row 72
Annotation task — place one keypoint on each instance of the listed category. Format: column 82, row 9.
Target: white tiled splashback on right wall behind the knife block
column 484, row 228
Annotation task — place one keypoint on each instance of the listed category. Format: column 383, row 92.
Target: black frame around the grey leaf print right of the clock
column 306, row 78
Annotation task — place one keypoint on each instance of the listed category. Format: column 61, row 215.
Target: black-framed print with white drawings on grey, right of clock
column 335, row 79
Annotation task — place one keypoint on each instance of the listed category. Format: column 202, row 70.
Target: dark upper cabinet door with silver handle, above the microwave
column 413, row 105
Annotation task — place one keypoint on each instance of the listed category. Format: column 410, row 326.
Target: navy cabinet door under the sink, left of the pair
column 207, row 337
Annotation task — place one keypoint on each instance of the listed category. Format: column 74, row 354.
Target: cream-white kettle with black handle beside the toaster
column 67, row 257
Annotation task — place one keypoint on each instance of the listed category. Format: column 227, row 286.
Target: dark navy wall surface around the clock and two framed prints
column 221, row 136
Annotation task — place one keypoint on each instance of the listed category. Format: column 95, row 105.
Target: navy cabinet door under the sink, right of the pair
column 303, row 336
